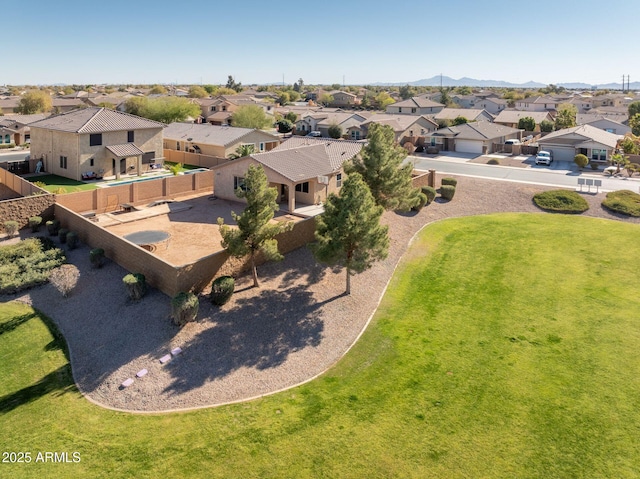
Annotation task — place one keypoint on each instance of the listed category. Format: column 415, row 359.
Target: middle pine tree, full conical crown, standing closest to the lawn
column 349, row 233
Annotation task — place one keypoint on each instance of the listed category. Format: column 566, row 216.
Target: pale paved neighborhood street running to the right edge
column 561, row 174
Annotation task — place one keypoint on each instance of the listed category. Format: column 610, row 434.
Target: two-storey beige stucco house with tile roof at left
column 99, row 140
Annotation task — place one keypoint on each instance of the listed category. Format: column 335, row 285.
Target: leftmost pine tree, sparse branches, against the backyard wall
column 254, row 233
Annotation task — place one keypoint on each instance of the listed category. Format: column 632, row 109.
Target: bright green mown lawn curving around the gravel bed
column 507, row 346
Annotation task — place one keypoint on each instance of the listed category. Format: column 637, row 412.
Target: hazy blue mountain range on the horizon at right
column 451, row 82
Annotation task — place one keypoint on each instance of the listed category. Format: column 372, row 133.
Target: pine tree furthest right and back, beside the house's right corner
column 380, row 165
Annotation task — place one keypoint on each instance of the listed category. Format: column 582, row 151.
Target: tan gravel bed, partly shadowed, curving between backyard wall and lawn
column 293, row 328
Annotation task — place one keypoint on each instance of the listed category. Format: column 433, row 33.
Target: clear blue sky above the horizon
column 139, row 41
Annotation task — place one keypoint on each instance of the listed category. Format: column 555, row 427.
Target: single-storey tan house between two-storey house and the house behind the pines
column 214, row 140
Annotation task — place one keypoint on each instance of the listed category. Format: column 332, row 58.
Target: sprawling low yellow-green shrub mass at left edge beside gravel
column 27, row 264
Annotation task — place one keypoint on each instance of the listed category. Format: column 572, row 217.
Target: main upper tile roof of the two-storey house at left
column 95, row 120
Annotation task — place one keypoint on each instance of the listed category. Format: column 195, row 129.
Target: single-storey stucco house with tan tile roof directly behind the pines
column 304, row 170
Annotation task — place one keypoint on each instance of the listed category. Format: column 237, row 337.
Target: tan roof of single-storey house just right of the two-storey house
column 208, row 134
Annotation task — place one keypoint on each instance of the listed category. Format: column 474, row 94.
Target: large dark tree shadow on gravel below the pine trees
column 253, row 334
